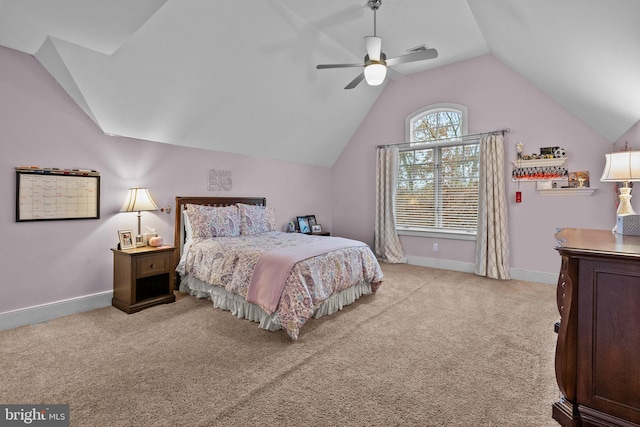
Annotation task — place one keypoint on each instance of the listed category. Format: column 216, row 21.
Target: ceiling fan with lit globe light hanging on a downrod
column 376, row 62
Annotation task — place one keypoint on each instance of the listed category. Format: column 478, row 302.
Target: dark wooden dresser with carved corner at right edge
column 598, row 350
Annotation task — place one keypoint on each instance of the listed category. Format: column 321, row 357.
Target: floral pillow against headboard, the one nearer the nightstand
column 208, row 221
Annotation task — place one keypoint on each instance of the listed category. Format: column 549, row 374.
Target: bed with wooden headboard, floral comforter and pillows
column 279, row 280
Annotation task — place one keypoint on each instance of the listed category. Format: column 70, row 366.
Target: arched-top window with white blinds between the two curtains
column 438, row 173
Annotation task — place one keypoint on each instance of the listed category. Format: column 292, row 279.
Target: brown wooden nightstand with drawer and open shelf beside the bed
column 142, row 277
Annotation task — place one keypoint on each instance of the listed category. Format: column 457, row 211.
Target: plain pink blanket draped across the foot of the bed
column 273, row 268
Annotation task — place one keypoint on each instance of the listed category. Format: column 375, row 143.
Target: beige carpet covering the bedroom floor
column 431, row 348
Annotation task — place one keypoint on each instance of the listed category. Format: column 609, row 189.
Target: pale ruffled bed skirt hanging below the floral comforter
column 239, row 307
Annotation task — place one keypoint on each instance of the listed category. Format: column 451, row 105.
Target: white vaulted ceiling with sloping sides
column 239, row 76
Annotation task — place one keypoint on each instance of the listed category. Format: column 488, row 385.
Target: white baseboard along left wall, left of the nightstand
column 45, row 312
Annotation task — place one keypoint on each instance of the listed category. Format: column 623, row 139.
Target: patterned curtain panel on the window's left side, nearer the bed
column 386, row 240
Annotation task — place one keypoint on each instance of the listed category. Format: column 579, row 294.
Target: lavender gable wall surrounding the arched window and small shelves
column 496, row 98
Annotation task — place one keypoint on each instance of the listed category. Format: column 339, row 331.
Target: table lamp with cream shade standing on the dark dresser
column 624, row 167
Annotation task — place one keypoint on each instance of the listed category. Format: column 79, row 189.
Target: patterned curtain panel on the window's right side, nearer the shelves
column 492, row 244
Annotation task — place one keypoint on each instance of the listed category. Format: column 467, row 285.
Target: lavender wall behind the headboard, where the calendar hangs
column 51, row 261
